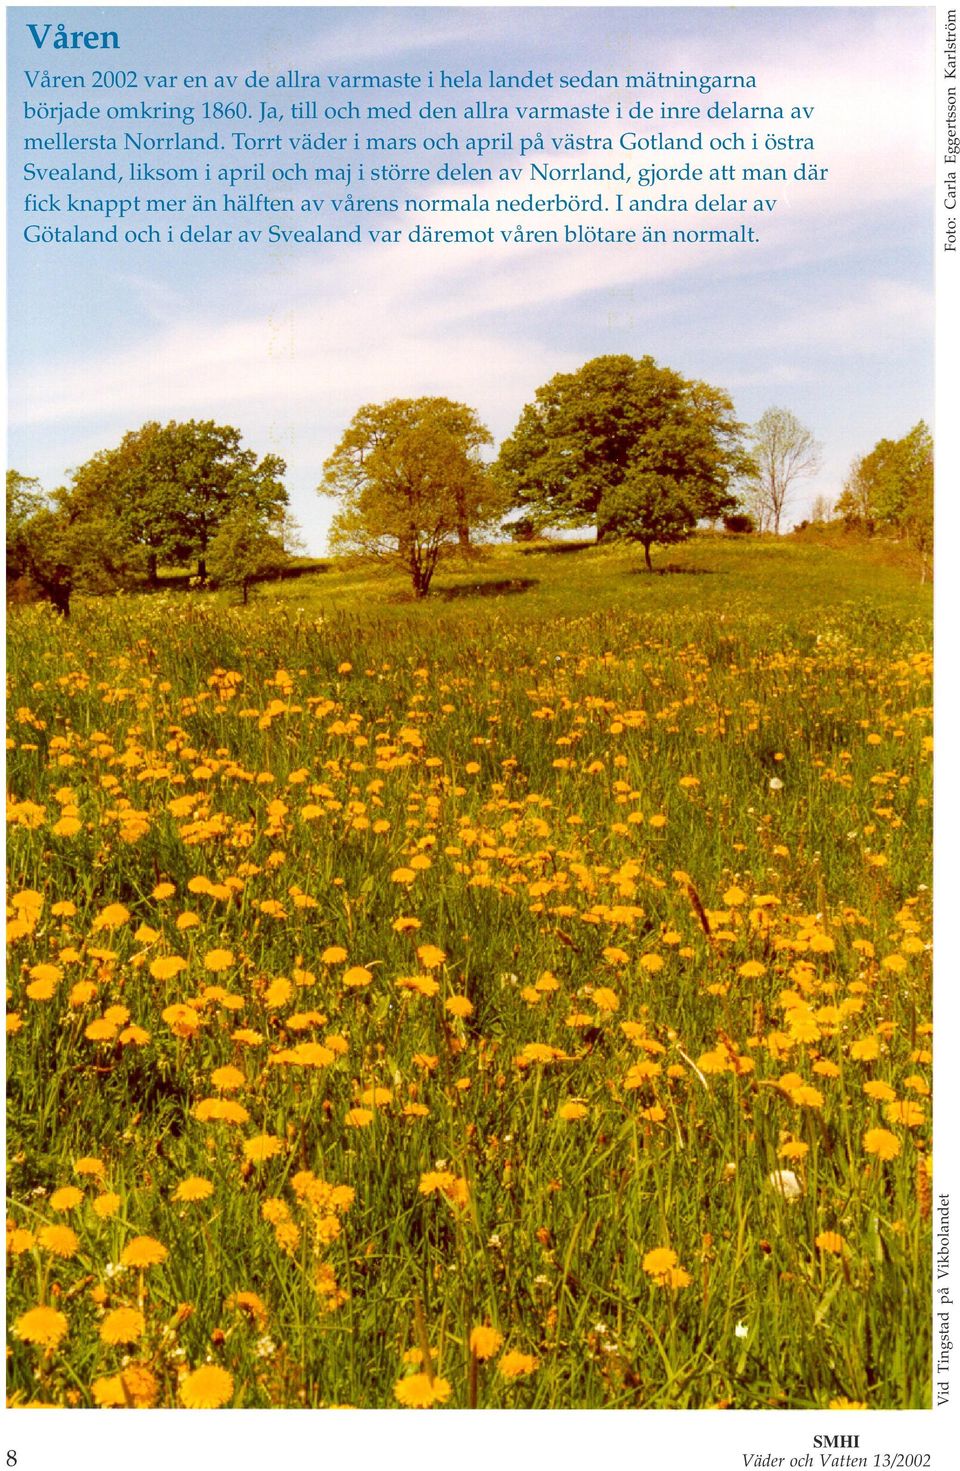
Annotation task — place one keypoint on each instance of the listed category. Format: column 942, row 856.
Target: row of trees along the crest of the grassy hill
column 624, row 446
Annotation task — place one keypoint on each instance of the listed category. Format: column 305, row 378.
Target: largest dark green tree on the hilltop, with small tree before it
column 627, row 445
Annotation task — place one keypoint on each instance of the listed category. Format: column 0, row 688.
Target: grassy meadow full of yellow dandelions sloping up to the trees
column 514, row 1001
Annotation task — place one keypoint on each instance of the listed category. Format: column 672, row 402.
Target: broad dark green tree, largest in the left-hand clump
column 171, row 486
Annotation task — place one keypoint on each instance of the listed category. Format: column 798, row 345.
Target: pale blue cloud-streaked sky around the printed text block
column 831, row 316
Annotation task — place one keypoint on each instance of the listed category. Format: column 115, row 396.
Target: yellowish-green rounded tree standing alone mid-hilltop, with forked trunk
column 412, row 485
